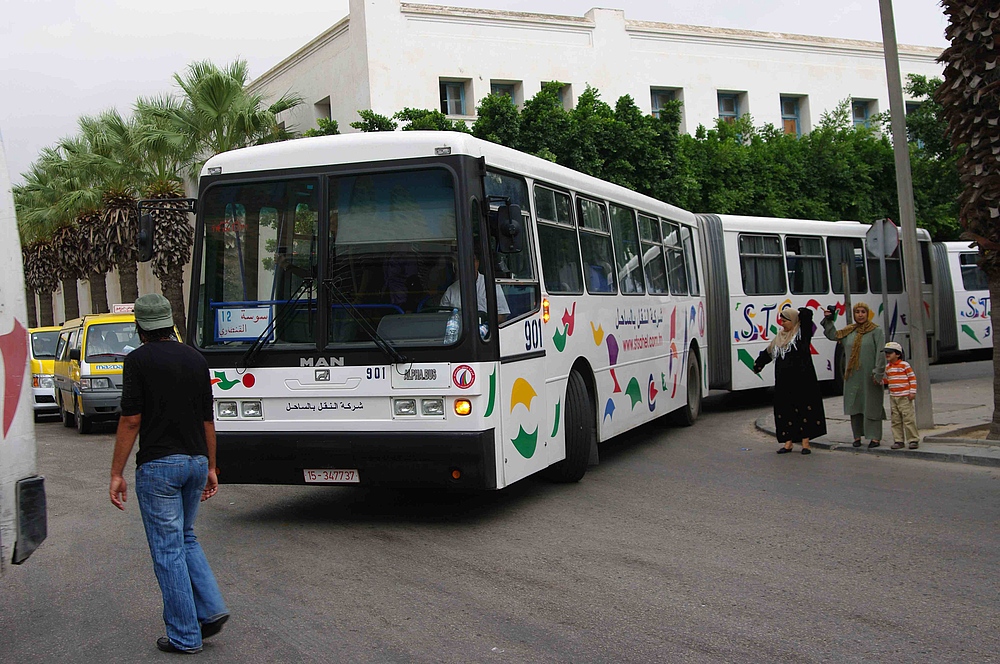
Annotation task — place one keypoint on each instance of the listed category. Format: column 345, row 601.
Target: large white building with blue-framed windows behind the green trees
column 387, row 55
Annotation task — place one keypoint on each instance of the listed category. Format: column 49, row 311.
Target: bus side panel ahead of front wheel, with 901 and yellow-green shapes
column 527, row 419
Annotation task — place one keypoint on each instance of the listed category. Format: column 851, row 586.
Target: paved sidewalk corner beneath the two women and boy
column 963, row 410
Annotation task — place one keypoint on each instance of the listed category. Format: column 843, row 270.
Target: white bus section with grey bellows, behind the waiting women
column 756, row 266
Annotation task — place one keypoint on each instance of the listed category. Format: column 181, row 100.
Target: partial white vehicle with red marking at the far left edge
column 22, row 491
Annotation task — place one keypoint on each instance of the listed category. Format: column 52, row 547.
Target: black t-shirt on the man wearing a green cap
column 168, row 384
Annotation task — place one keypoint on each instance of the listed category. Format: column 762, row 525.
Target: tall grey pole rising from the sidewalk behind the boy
column 904, row 192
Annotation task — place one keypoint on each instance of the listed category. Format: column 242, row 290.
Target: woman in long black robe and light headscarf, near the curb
column 798, row 404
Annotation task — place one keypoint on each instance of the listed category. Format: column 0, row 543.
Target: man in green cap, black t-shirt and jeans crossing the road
column 167, row 401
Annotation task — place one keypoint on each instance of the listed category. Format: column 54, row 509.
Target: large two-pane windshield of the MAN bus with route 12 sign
column 390, row 245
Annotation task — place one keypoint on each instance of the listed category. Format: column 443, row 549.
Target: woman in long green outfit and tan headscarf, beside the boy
column 865, row 368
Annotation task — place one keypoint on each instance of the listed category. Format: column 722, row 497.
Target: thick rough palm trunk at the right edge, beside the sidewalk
column 970, row 101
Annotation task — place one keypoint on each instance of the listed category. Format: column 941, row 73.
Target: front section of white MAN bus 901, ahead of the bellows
column 429, row 309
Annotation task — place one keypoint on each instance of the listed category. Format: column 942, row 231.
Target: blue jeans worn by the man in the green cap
column 169, row 491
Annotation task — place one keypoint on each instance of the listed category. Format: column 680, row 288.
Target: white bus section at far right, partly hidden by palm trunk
column 963, row 298
